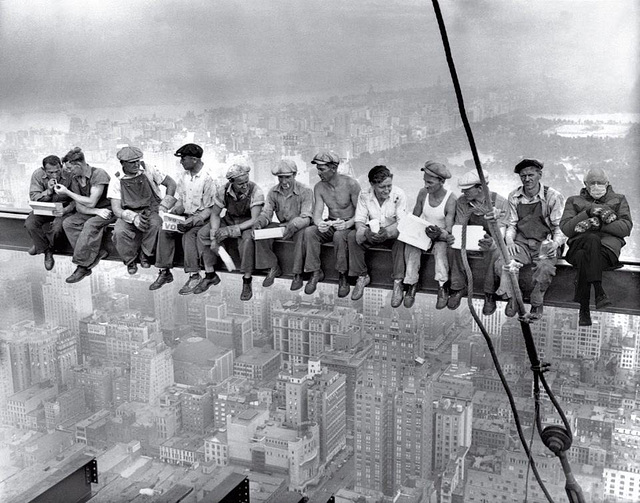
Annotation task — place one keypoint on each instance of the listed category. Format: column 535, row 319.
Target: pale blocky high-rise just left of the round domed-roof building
column 151, row 372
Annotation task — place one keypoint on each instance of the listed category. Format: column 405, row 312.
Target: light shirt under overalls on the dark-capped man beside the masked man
column 552, row 208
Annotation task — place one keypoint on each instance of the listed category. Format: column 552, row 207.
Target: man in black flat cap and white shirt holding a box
column 194, row 200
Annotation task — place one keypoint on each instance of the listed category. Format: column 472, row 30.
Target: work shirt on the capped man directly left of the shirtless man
column 293, row 207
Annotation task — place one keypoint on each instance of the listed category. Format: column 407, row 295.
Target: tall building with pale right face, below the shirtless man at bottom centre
column 327, row 406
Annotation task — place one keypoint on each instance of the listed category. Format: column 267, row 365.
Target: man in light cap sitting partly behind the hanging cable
column 471, row 208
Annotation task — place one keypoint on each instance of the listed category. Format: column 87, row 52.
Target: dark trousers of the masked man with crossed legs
column 590, row 258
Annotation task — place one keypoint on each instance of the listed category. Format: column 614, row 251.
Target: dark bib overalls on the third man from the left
column 138, row 195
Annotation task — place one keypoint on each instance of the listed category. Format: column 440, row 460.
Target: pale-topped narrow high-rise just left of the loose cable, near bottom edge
column 451, row 430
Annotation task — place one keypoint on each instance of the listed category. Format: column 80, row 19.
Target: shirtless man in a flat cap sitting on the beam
column 340, row 195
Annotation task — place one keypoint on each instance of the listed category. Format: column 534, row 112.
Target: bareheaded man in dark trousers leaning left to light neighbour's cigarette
column 85, row 227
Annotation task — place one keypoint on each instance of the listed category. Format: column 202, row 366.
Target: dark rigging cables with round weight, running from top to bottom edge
column 558, row 439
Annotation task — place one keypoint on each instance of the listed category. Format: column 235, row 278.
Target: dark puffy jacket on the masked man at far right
column 613, row 234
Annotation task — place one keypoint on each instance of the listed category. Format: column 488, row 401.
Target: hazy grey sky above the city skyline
column 94, row 53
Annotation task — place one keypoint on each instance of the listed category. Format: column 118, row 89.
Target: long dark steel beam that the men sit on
column 622, row 285
